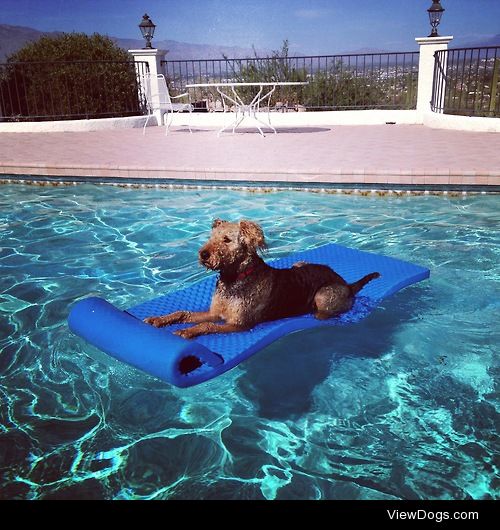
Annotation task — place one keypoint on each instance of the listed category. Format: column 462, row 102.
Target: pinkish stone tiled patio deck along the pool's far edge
column 385, row 154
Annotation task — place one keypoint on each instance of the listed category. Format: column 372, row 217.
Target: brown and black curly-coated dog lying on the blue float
column 249, row 291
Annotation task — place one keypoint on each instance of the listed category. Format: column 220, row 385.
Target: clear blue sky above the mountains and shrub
column 312, row 26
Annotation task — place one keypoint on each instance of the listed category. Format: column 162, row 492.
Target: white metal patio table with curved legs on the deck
column 229, row 92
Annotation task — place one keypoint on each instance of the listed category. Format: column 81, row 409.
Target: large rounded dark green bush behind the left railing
column 72, row 75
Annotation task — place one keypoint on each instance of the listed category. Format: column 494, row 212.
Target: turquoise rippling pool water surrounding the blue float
column 399, row 406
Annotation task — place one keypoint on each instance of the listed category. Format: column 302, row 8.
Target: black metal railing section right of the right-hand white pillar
column 467, row 82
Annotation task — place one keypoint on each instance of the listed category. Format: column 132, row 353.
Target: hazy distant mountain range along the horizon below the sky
column 12, row 38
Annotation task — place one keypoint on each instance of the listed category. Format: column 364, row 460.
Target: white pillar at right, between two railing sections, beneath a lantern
column 428, row 46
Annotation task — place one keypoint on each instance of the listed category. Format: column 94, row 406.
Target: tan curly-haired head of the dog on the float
column 231, row 244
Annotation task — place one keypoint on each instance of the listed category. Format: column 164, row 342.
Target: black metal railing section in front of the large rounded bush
column 70, row 90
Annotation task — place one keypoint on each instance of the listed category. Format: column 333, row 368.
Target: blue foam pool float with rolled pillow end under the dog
column 182, row 362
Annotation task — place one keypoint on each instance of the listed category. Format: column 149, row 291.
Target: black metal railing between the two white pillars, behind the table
column 335, row 82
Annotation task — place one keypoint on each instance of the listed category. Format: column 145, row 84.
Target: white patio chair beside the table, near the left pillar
column 159, row 99
